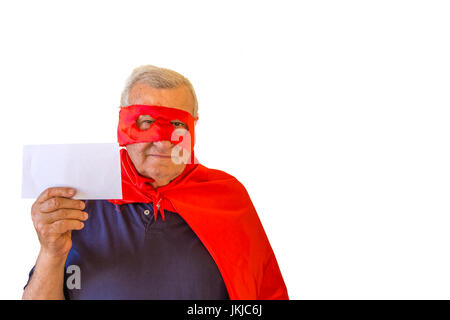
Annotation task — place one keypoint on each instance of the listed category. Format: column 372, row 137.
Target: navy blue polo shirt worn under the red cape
column 123, row 253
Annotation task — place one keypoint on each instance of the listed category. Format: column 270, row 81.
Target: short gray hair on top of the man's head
column 159, row 78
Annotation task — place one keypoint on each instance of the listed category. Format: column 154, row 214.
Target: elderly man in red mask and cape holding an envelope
column 181, row 231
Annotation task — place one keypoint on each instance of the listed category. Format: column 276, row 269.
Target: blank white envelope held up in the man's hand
column 93, row 169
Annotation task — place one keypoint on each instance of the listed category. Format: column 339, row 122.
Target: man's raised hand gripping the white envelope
column 54, row 216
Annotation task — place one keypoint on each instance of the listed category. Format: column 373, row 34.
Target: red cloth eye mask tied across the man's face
column 161, row 129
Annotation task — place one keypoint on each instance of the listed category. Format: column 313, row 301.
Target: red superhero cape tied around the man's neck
column 219, row 210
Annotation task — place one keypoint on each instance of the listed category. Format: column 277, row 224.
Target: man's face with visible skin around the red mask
column 153, row 159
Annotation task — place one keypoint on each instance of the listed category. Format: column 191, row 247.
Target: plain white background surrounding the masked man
column 333, row 114
